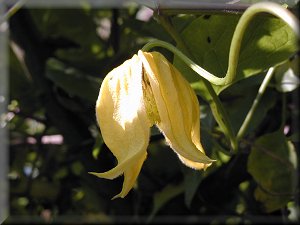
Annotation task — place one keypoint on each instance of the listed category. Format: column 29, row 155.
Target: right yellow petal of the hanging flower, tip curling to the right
column 178, row 109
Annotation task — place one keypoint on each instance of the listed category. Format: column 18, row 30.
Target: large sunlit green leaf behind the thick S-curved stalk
column 267, row 42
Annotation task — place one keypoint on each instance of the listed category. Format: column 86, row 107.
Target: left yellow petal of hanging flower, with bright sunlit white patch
column 123, row 121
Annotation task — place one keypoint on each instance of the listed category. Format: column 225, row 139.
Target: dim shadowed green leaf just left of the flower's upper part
column 73, row 81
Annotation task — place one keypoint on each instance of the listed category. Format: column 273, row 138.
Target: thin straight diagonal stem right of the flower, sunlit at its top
column 257, row 99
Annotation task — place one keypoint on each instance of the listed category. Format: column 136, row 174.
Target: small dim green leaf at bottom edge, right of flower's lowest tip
column 163, row 197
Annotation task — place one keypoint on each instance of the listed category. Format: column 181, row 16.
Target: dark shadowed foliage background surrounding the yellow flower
column 58, row 58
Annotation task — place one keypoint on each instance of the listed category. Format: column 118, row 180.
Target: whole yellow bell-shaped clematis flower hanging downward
column 147, row 90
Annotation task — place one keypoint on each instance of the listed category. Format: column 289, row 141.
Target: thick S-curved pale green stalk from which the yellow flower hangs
column 236, row 42
